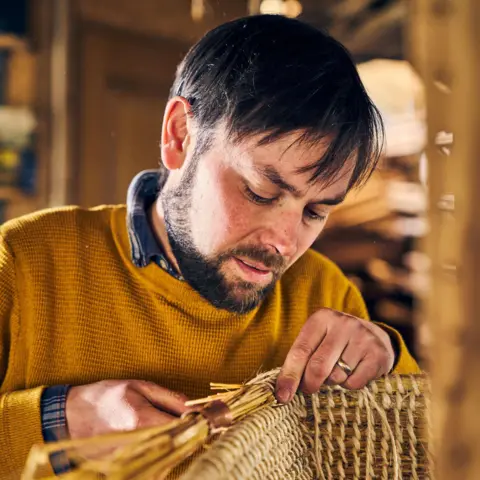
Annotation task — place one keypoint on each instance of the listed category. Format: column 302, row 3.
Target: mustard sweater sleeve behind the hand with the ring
column 404, row 362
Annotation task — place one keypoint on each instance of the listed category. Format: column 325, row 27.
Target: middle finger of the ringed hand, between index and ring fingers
column 322, row 363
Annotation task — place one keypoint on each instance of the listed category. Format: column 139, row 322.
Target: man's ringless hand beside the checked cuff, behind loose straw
column 120, row 405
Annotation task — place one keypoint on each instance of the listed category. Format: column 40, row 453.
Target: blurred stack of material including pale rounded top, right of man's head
column 374, row 236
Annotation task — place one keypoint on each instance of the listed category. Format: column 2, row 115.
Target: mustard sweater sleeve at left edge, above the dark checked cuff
column 20, row 425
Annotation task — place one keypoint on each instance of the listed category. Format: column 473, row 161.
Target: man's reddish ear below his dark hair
column 176, row 132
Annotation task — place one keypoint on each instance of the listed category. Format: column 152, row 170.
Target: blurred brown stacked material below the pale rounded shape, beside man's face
column 374, row 237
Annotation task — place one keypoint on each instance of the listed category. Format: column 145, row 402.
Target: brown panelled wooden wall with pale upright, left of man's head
column 115, row 64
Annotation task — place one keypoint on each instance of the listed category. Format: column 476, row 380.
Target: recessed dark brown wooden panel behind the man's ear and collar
column 124, row 85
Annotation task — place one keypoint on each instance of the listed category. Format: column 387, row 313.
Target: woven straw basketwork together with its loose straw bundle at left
column 375, row 432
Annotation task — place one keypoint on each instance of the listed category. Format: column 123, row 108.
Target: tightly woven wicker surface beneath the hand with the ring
column 378, row 432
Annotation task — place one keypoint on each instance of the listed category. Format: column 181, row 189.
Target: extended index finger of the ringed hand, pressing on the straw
column 310, row 336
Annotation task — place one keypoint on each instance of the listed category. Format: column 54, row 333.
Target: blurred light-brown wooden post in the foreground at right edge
column 446, row 48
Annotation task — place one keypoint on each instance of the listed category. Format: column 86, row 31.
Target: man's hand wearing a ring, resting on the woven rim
column 327, row 337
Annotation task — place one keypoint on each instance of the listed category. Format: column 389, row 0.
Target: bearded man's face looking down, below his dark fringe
column 238, row 216
